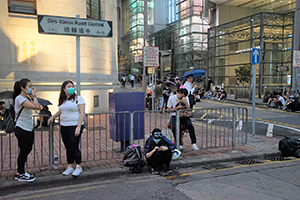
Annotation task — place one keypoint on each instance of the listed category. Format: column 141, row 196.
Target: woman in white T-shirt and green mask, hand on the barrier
column 72, row 113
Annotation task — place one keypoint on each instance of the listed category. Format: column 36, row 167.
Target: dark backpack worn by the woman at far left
column 8, row 119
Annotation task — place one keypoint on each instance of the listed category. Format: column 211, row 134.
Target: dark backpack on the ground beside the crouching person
column 133, row 158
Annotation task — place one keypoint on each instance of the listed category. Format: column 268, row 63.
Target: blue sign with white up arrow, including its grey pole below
column 255, row 59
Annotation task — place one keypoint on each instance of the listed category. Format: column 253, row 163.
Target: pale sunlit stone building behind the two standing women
column 48, row 60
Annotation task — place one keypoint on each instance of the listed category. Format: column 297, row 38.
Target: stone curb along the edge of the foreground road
column 93, row 174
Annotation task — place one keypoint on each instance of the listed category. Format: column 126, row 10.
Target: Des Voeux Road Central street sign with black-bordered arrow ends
column 74, row 26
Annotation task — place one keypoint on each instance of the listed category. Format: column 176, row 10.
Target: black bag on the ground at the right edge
column 288, row 146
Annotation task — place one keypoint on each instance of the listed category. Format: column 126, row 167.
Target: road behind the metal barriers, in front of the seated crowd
column 285, row 123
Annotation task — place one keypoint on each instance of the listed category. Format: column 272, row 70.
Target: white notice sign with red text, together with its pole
column 151, row 59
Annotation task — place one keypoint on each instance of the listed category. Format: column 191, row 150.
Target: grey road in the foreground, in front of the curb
column 268, row 180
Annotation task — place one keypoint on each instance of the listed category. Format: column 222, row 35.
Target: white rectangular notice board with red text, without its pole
column 151, row 56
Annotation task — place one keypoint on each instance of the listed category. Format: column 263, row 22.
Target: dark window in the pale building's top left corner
column 22, row 6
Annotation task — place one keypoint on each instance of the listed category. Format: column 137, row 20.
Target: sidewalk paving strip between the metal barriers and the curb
column 256, row 147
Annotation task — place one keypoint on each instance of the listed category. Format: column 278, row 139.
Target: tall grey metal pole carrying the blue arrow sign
column 253, row 82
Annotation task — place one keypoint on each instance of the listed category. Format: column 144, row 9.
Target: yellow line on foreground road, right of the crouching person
column 266, row 162
